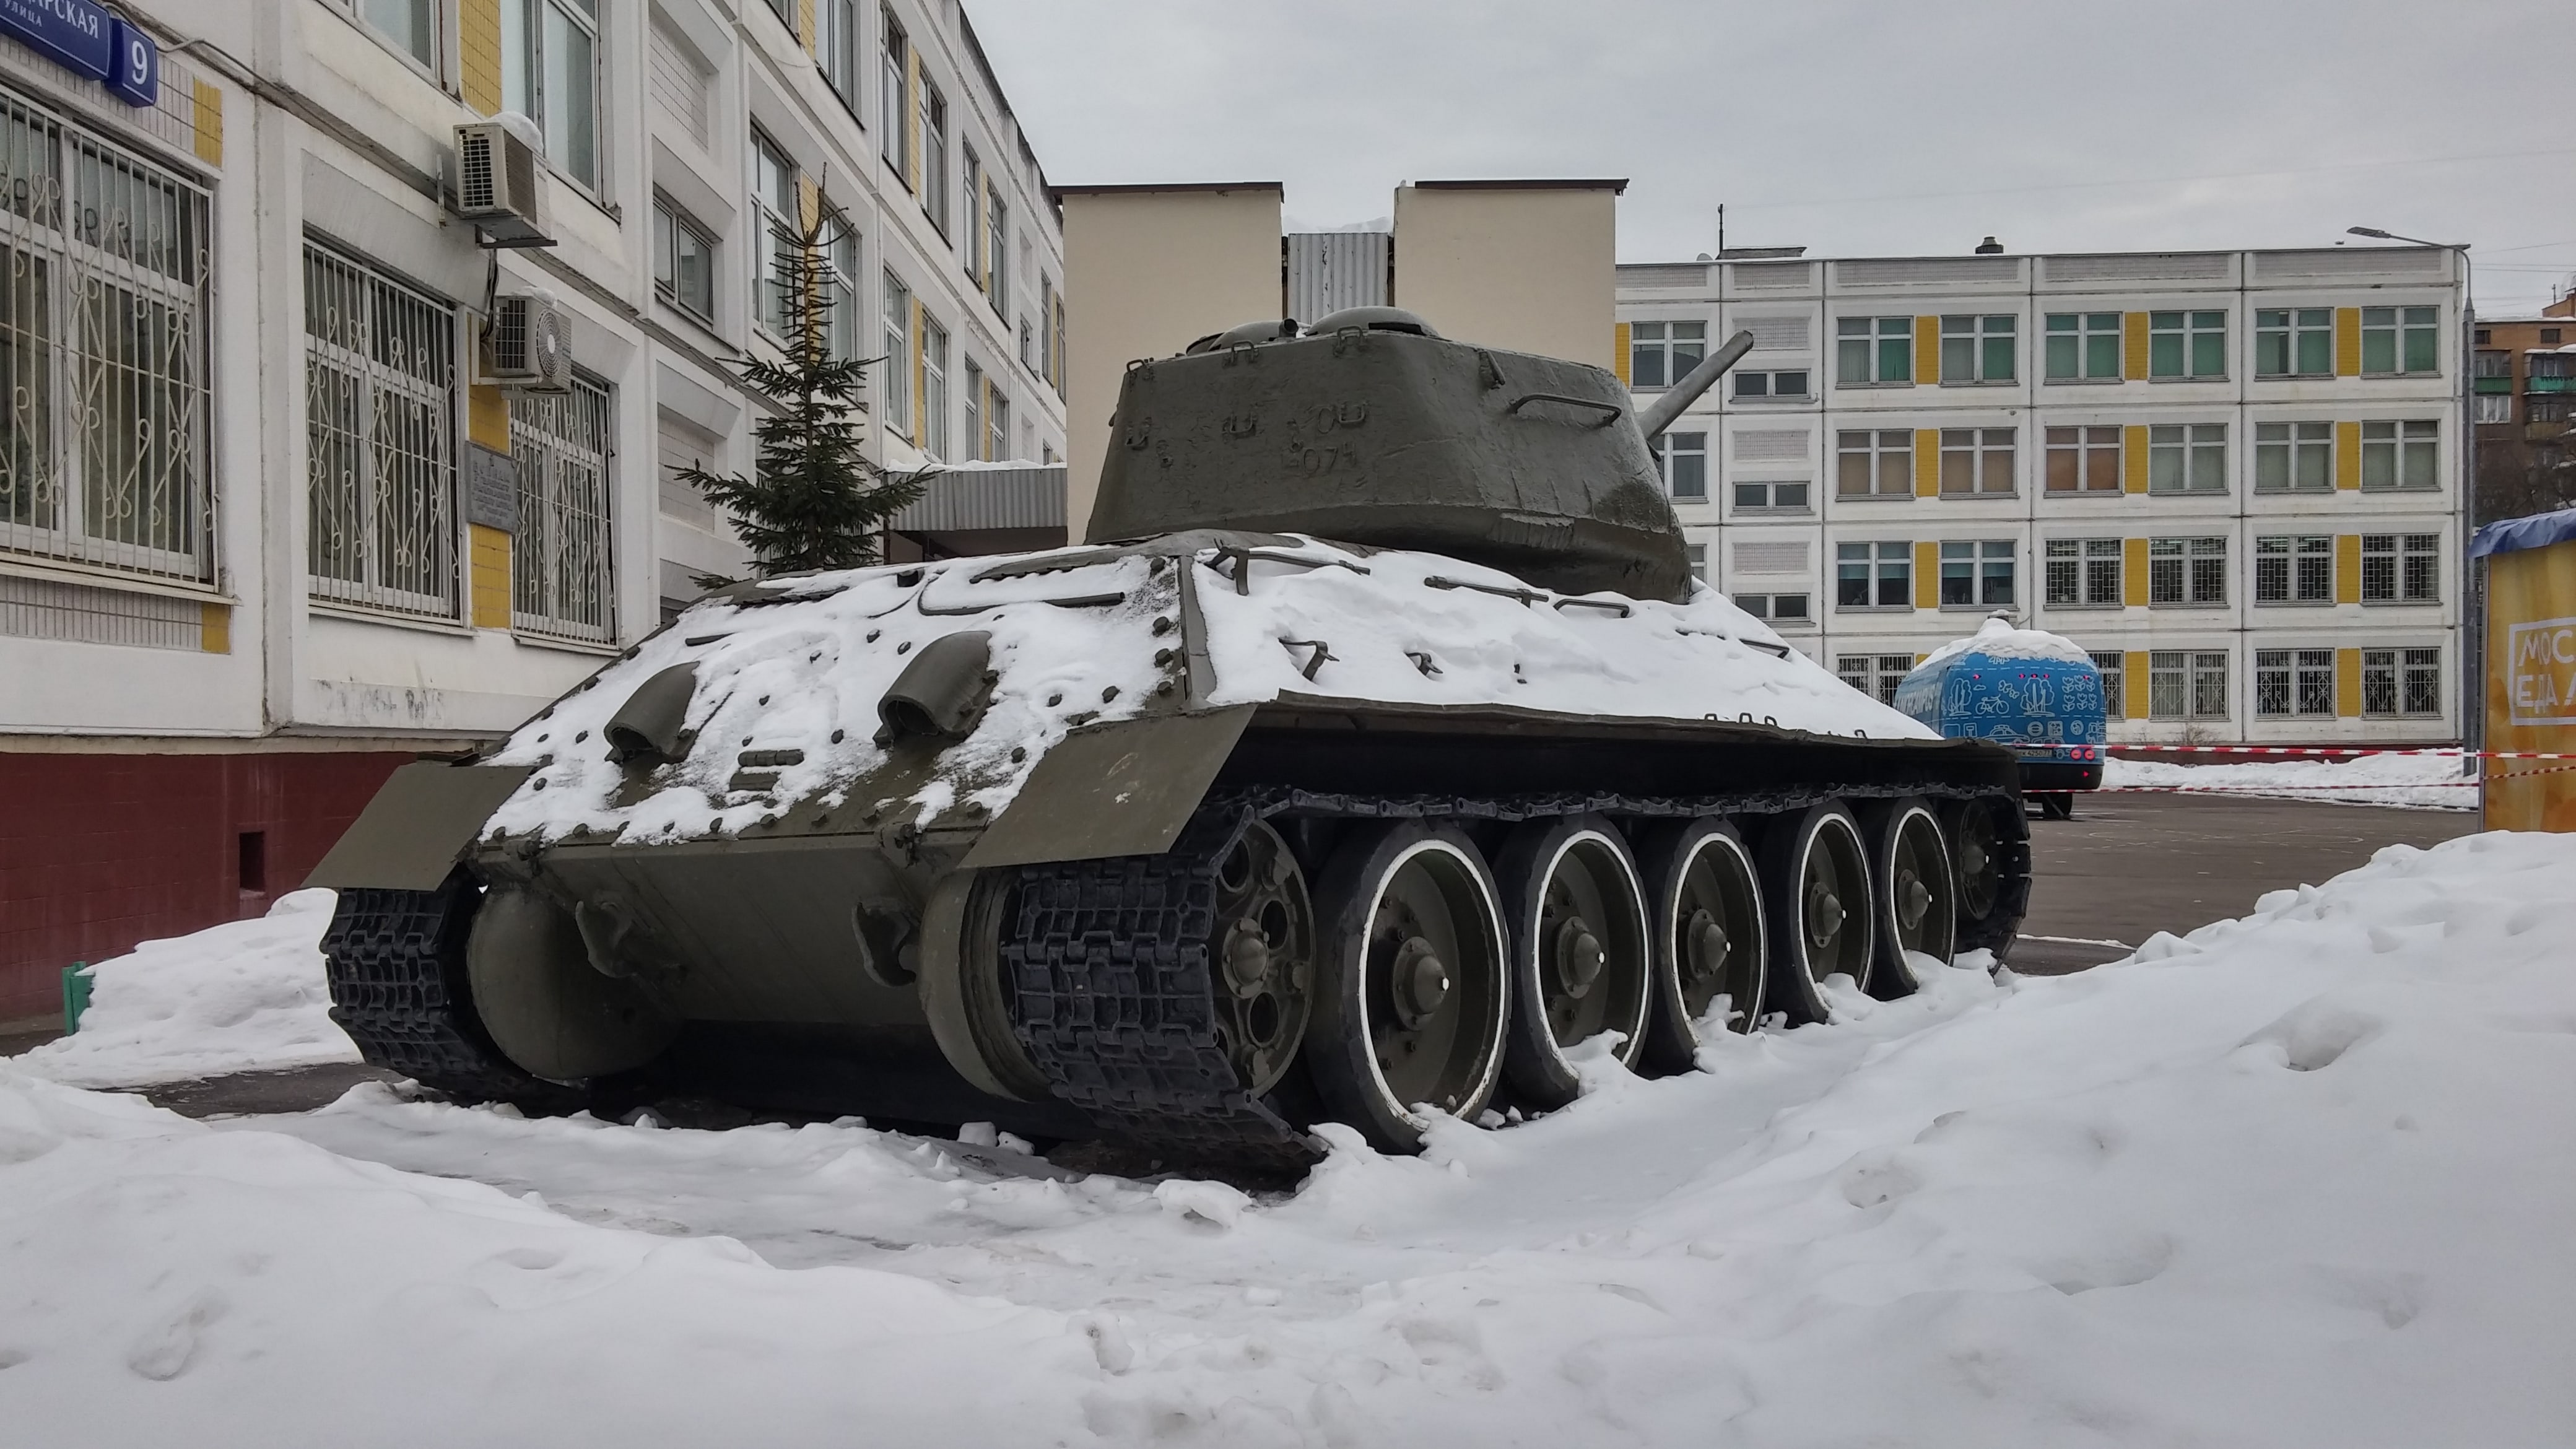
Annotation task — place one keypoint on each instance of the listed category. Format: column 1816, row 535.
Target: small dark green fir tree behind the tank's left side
column 815, row 501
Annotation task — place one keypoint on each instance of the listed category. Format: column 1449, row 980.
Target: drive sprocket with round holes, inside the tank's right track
column 1264, row 958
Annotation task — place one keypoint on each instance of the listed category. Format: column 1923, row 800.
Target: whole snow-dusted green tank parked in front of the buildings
column 1372, row 762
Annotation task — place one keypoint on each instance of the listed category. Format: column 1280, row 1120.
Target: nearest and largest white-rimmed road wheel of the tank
column 1413, row 991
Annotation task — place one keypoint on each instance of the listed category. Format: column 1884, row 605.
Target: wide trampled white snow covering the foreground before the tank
column 2297, row 1180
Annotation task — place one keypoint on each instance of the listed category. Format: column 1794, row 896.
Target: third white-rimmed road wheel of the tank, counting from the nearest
column 1709, row 945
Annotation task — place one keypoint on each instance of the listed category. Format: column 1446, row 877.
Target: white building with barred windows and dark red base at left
column 272, row 520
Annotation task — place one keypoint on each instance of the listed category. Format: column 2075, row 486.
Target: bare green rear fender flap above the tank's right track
column 1114, row 790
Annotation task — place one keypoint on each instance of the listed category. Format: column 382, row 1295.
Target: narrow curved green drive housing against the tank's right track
column 965, row 991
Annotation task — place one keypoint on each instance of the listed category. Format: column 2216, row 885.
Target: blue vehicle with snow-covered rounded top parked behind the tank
column 2018, row 687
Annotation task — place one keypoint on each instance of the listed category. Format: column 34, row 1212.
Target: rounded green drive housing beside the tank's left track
column 547, row 1007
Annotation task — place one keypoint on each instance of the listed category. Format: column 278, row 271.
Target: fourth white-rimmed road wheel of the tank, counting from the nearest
column 1817, row 891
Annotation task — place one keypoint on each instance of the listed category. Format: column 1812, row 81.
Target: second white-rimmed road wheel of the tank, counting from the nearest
column 1580, row 960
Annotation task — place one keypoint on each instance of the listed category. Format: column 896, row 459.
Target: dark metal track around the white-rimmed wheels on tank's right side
column 1109, row 973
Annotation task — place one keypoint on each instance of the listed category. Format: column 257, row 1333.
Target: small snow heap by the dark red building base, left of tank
column 233, row 999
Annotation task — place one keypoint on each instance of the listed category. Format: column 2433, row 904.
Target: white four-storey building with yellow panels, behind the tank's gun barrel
column 2230, row 476
